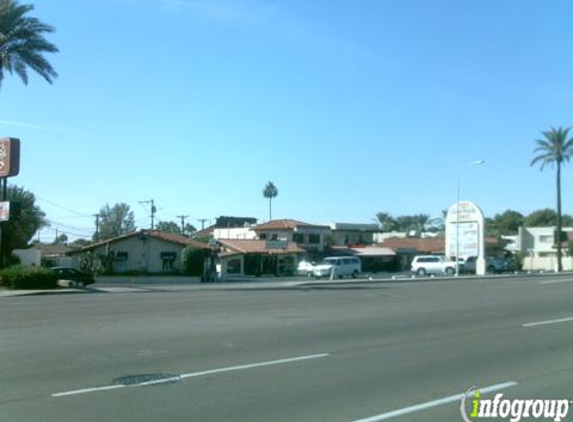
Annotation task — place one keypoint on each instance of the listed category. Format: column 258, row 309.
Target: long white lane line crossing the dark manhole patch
column 191, row 374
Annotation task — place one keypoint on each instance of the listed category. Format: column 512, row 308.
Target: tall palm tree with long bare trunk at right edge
column 554, row 150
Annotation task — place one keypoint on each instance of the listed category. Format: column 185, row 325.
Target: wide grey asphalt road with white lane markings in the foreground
column 337, row 352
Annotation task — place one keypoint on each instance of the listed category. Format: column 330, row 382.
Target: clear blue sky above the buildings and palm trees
column 349, row 107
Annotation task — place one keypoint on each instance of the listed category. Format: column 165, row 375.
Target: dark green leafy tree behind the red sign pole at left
column 19, row 230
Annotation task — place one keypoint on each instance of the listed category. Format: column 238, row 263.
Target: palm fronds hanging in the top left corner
column 22, row 43
